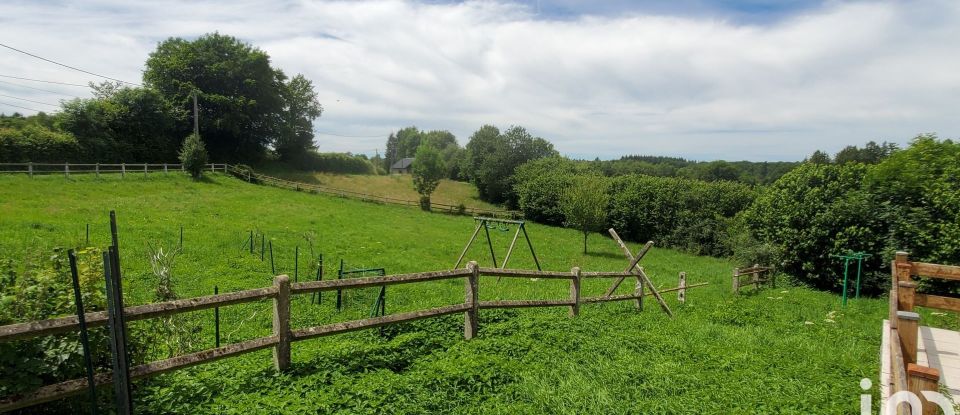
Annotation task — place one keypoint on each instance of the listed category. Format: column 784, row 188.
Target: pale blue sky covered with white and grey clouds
column 759, row 80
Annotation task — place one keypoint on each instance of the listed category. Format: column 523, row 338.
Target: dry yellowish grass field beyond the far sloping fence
column 398, row 186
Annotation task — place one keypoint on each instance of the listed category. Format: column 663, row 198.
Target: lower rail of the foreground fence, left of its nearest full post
column 76, row 386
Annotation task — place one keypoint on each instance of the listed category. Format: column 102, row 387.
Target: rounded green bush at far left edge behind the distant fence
column 34, row 143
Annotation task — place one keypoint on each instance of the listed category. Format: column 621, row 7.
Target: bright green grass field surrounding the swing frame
column 788, row 350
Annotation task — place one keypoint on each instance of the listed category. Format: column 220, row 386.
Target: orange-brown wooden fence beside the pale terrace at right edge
column 906, row 374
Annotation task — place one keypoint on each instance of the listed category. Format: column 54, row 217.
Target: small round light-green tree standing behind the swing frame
column 585, row 205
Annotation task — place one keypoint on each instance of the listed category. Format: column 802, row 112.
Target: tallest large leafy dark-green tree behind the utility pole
column 245, row 104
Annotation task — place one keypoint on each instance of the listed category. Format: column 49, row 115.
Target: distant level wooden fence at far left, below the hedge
column 97, row 168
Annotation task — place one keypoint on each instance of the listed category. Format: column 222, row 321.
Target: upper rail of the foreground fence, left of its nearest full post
column 98, row 319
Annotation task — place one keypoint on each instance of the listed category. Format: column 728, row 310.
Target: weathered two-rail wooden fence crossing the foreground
column 282, row 335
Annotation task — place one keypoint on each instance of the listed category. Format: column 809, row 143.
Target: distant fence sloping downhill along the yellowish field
column 252, row 177
